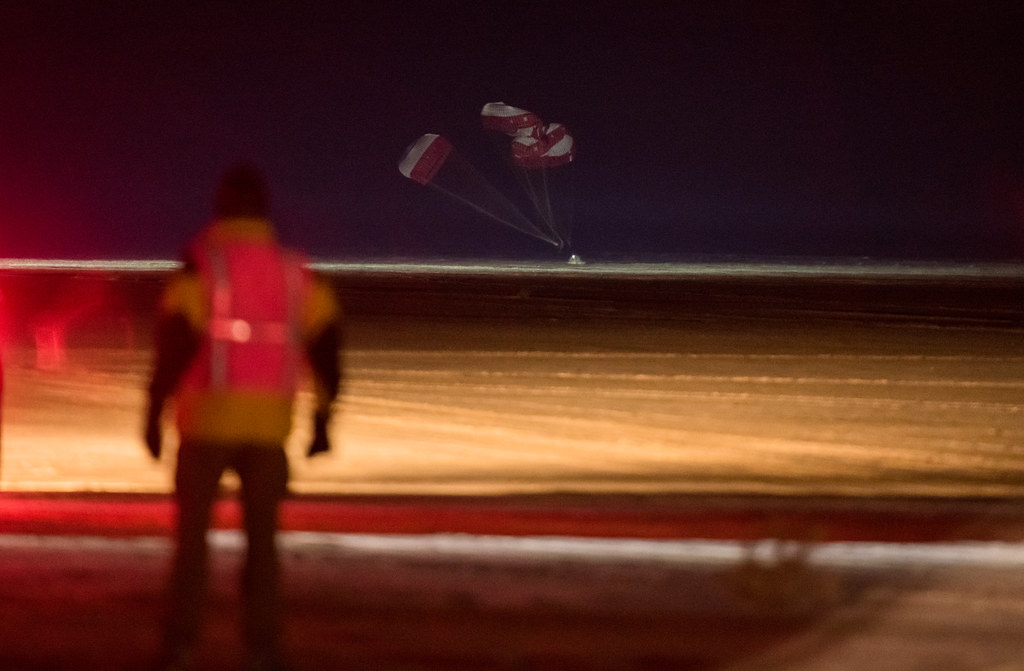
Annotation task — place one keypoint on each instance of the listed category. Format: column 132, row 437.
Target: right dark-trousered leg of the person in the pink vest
column 264, row 472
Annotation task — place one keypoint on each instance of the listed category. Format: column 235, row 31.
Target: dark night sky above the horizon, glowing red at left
column 795, row 129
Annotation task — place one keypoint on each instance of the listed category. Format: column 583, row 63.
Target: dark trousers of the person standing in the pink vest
column 264, row 474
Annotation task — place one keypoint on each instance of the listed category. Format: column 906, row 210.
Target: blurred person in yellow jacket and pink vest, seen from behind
column 234, row 327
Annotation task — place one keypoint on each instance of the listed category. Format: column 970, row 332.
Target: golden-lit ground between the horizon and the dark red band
column 461, row 384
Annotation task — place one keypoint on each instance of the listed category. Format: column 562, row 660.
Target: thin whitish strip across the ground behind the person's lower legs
column 864, row 556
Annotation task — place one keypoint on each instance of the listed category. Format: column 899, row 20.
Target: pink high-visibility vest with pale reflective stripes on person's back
column 253, row 344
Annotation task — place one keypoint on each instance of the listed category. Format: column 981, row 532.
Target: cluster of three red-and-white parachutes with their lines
column 537, row 153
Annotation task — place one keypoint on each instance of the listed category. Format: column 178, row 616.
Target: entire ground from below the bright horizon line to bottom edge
column 687, row 414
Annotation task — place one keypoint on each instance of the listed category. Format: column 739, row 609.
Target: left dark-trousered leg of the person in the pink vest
column 197, row 479
